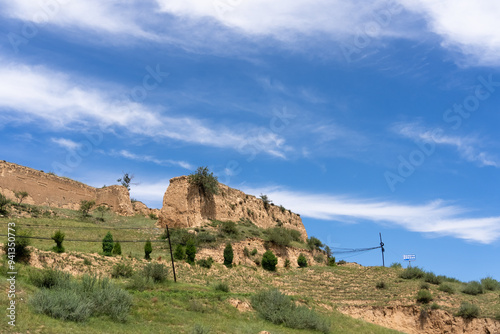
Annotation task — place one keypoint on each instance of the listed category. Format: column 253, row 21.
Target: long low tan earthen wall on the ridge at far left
column 46, row 189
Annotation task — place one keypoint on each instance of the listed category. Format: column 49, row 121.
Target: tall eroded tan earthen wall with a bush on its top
column 185, row 206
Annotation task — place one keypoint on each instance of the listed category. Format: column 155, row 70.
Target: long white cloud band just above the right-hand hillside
column 436, row 217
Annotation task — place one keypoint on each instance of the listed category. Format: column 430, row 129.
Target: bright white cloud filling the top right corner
column 470, row 26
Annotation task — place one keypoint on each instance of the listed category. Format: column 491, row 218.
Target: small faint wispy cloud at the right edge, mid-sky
column 467, row 147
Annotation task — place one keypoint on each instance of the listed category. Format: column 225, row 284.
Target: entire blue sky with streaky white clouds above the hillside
column 362, row 116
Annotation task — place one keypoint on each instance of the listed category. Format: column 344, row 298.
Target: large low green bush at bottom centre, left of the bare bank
column 279, row 309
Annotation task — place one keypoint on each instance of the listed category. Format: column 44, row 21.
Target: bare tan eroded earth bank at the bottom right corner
column 414, row 320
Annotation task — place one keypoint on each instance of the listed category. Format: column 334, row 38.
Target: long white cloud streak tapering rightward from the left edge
column 64, row 101
